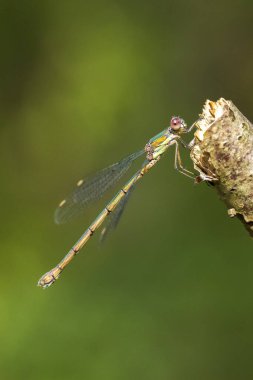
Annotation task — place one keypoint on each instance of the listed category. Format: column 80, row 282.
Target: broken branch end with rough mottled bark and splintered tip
column 222, row 152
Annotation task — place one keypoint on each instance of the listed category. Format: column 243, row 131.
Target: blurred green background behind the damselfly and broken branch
column 83, row 84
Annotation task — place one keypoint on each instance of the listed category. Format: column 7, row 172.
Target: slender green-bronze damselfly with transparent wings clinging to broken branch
column 94, row 188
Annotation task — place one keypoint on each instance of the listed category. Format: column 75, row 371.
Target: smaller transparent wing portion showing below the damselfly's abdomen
column 114, row 218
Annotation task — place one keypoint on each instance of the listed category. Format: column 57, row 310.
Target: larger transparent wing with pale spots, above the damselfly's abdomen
column 92, row 189
